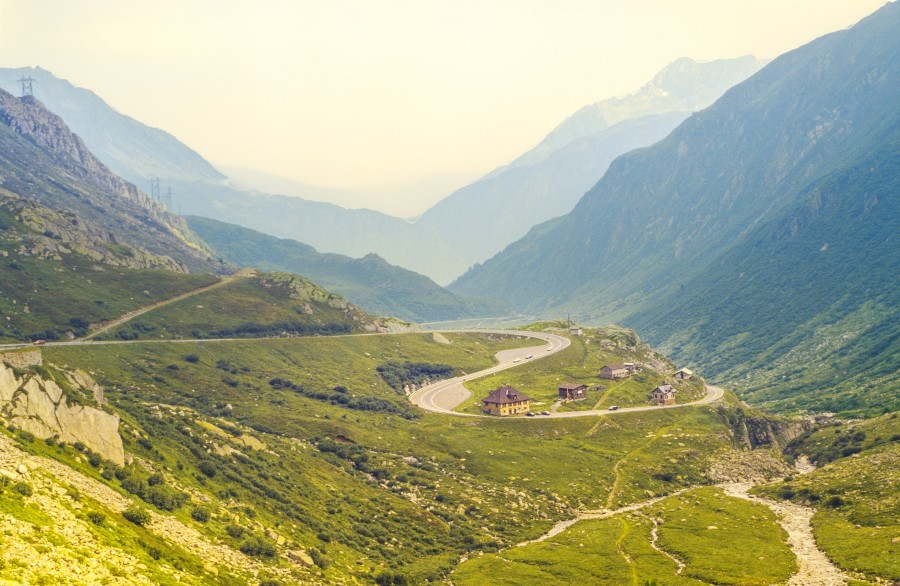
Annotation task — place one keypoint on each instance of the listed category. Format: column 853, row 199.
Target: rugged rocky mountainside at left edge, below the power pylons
column 42, row 161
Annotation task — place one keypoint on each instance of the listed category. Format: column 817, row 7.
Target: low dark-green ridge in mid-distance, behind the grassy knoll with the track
column 369, row 282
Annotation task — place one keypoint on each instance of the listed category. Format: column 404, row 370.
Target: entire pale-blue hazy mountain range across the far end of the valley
column 465, row 228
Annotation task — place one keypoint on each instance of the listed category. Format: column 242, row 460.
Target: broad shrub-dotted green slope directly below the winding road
column 409, row 495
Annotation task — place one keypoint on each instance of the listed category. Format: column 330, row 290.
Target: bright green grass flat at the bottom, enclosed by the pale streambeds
column 618, row 550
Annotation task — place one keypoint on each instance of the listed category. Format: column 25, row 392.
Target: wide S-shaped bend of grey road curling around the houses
column 444, row 396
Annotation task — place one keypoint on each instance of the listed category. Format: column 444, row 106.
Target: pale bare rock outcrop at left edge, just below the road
column 40, row 406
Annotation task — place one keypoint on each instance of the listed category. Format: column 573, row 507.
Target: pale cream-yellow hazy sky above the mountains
column 379, row 95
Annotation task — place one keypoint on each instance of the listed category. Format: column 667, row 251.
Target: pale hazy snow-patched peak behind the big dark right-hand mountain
column 547, row 181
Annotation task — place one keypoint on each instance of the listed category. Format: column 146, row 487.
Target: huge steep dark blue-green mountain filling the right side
column 760, row 223
